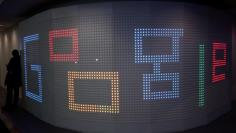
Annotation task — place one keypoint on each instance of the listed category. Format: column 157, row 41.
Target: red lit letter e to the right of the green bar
column 218, row 62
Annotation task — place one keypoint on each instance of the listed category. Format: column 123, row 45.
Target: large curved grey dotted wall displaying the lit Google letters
column 127, row 67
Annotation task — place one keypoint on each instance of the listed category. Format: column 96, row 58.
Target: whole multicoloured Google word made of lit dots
column 139, row 34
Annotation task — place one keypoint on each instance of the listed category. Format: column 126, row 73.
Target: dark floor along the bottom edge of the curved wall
column 21, row 118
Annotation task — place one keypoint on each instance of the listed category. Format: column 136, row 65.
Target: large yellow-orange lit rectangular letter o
column 113, row 76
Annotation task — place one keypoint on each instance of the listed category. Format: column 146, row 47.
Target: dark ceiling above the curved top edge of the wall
column 13, row 11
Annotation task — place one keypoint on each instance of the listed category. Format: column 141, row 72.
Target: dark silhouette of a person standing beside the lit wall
column 13, row 81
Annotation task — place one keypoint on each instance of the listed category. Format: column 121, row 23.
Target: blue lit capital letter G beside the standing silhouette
column 37, row 68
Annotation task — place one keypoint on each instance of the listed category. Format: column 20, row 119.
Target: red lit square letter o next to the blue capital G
column 64, row 33
